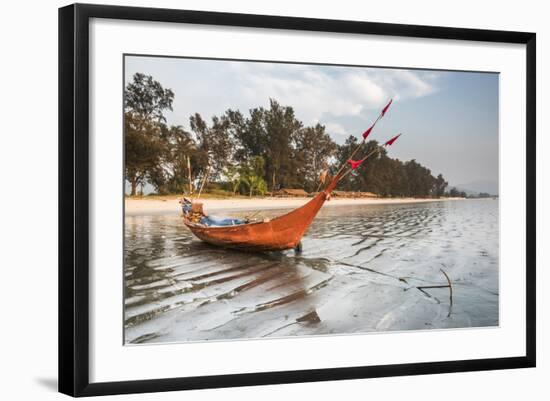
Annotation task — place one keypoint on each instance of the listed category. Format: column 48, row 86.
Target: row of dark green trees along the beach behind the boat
column 267, row 149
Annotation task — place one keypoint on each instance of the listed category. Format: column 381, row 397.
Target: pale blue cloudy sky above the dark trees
column 449, row 119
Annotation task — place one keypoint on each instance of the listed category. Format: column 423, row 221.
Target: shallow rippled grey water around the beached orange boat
column 359, row 271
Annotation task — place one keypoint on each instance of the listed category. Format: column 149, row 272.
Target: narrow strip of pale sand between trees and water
column 137, row 207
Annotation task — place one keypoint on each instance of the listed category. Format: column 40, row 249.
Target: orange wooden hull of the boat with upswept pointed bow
column 280, row 233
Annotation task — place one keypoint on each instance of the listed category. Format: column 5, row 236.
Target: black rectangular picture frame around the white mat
column 74, row 198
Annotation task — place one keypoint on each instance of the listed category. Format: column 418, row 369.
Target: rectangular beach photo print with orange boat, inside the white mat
column 270, row 199
